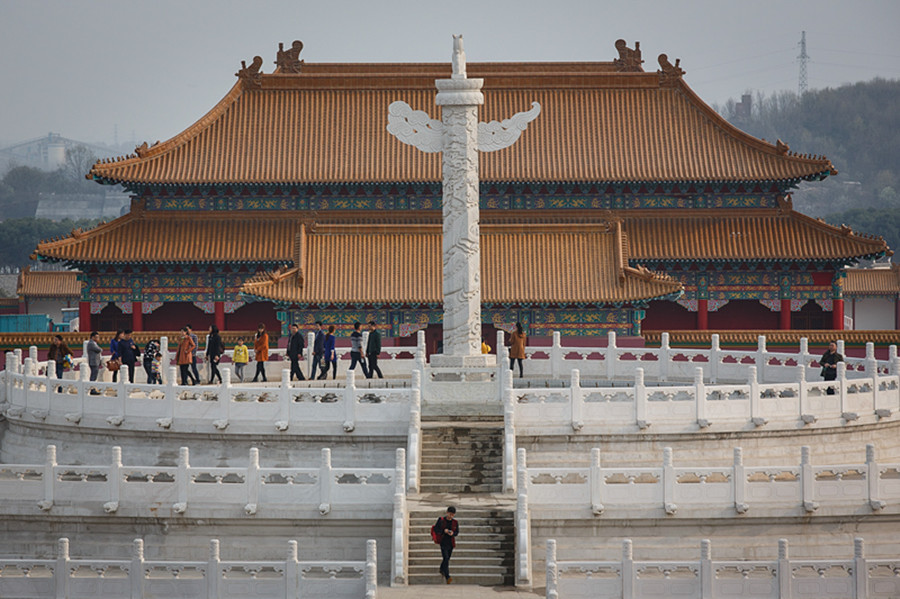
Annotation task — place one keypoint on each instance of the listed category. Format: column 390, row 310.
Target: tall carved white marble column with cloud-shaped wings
column 460, row 137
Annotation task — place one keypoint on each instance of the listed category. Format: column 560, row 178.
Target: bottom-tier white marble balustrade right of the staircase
column 780, row 578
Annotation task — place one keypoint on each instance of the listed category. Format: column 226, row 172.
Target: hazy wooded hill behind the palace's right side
column 856, row 126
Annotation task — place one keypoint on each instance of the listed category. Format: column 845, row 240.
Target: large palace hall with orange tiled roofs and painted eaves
column 627, row 205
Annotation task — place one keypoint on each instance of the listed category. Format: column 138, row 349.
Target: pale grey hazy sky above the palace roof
column 81, row 68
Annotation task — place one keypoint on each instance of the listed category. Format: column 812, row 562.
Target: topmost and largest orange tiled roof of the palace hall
column 328, row 123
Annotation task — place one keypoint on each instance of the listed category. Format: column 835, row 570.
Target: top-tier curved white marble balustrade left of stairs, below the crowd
column 305, row 408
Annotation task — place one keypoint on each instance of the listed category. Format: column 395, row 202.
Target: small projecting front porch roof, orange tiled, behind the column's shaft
column 521, row 264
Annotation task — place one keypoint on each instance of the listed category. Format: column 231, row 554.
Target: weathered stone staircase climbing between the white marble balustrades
column 462, row 465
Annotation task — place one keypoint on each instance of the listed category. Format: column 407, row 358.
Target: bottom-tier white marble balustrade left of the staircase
column 139, row 578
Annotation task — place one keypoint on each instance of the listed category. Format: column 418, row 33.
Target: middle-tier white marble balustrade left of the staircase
column 114, row 488
